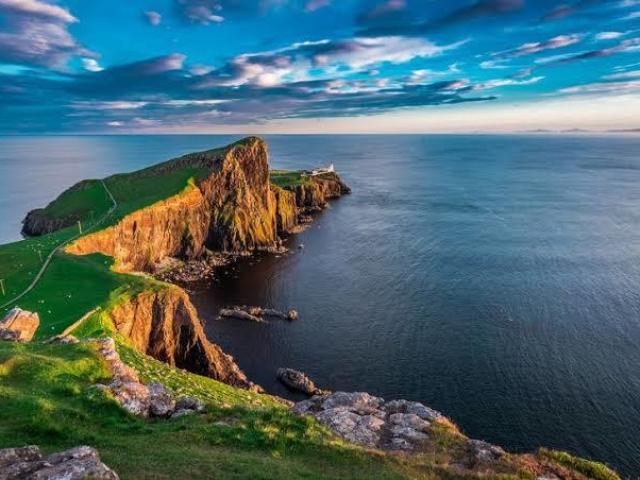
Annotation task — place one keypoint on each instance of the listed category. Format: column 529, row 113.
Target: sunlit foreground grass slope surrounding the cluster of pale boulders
column 47, row 398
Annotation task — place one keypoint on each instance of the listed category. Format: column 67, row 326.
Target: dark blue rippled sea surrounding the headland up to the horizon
column 495, row 278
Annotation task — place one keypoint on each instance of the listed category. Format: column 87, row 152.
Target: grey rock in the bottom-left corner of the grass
column 74, row 464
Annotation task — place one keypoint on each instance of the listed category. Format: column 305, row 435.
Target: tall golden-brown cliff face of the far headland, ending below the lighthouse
column 232, row 209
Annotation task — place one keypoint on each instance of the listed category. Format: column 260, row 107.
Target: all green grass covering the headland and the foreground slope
column 48, row 395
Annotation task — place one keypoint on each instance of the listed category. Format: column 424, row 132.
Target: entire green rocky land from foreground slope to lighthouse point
column 104, row 358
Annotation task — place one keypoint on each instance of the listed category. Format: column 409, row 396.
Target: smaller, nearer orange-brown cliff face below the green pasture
column 164, row 324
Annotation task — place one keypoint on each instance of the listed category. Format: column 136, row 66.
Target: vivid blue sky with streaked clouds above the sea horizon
column 318, row 66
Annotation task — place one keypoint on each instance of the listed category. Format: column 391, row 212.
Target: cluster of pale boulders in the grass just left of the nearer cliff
column 136, row 397
